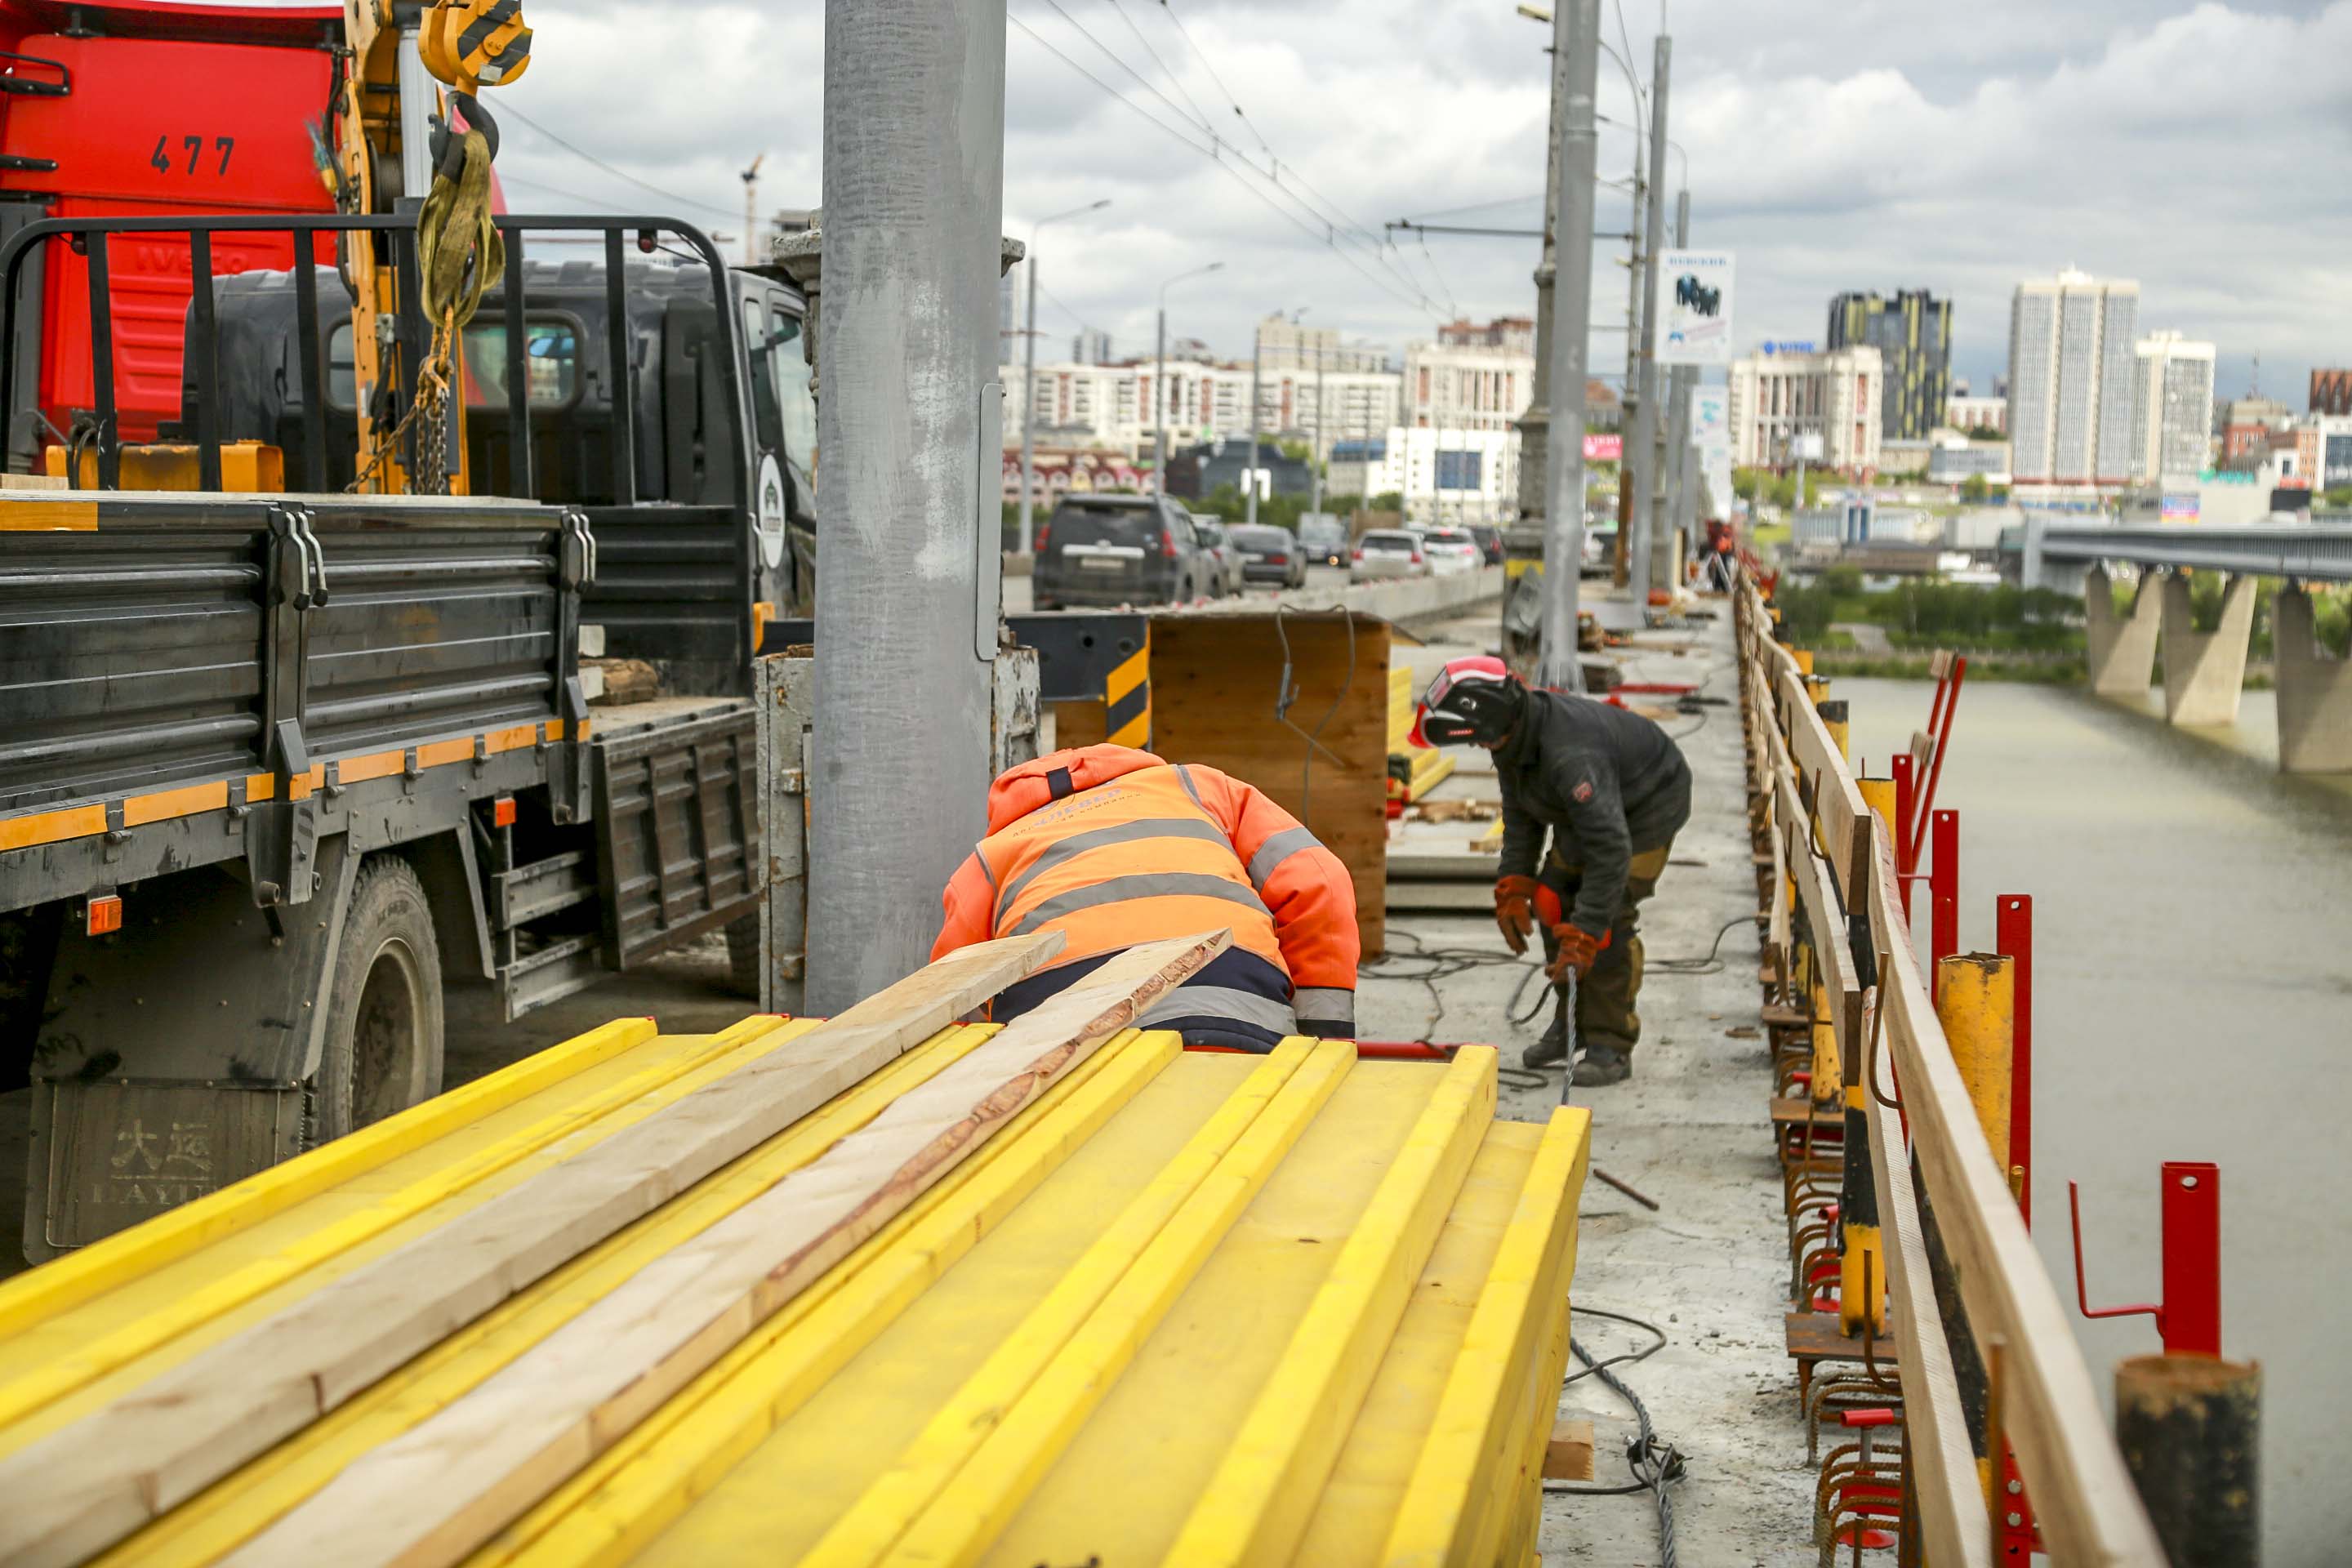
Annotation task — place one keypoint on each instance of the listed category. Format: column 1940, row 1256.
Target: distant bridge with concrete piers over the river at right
column 2205, row 671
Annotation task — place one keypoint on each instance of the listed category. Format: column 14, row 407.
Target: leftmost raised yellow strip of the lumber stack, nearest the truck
column 128, row 1257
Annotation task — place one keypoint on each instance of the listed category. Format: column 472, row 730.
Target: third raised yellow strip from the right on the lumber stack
column 893, row 1503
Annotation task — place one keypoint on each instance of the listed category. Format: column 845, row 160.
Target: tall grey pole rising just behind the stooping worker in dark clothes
column 1577, row 27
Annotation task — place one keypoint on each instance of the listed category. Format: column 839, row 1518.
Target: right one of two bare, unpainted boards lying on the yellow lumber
column 448, row 1485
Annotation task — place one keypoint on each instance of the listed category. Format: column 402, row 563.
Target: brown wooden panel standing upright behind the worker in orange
column 1215, row 688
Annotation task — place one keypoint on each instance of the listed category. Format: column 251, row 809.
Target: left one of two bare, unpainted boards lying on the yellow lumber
column 140, row 1456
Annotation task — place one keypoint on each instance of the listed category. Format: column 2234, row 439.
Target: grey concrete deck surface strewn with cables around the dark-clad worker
column 1688, row 1130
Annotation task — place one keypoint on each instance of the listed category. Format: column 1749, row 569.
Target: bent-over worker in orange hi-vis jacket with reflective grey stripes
column 1116, row 847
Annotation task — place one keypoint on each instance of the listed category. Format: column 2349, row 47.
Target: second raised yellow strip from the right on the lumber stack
column 1264, row 1492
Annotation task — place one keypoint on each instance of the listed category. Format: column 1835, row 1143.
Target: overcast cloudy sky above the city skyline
column 1831, row 142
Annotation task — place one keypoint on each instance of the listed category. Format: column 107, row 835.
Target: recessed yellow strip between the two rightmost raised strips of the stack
column 1361, row 1501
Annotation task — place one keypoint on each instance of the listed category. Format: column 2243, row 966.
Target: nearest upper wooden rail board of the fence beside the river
column 2076, row 1475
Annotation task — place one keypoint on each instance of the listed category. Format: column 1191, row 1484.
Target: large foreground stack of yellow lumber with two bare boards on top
column 876, row 1289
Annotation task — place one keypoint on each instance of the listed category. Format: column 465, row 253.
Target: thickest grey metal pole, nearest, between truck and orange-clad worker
column 911, row 420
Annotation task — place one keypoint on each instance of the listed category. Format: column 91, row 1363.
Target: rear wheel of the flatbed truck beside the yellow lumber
column 385, row 1005
